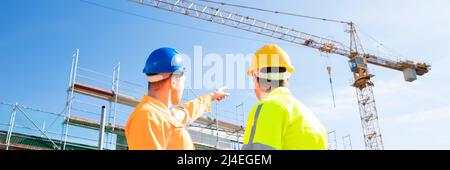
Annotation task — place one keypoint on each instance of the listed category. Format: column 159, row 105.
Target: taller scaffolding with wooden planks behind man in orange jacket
column 217, row 130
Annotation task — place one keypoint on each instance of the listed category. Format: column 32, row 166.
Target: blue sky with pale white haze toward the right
column 38, row 37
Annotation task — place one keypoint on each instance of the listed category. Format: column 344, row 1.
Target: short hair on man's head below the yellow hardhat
column 269, row 85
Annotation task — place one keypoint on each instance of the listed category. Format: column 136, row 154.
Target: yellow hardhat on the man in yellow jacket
column 270, row 55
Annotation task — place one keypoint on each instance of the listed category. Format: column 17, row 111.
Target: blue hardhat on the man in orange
column 164, row 60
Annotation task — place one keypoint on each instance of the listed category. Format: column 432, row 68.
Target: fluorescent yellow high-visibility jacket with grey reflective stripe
column 281, row 122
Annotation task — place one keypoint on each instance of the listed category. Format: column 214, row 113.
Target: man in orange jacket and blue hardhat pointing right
column 155, row 124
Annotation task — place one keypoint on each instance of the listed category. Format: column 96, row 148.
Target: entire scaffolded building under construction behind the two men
column 95, row 113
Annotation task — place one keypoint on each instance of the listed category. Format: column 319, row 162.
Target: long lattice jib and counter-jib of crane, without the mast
column 275, row 31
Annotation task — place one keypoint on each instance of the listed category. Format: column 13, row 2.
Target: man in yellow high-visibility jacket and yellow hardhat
column 279, row 121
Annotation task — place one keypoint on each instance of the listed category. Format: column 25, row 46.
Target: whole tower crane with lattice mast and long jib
column 358, row 58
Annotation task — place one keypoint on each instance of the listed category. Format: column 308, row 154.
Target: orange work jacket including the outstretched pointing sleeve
column 153, row 126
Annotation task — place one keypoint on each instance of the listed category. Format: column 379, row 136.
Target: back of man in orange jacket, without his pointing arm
column 151, row 126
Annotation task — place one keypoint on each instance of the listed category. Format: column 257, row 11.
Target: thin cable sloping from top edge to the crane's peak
column 277, row 12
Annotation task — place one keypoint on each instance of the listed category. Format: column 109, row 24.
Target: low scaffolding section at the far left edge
column 27, row 128
